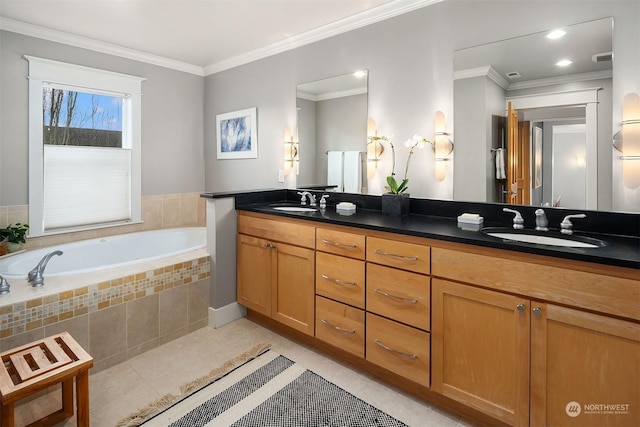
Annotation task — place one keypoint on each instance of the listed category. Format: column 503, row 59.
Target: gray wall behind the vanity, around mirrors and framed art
column 410, row 63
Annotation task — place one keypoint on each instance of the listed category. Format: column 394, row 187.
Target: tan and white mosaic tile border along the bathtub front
column 32, row 314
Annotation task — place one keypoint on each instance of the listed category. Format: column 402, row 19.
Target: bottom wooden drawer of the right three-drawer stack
column 398, row 348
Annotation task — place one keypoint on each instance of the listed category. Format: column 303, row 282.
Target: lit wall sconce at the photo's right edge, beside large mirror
column 627, row 140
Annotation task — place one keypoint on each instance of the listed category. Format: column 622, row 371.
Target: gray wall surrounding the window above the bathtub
column 172, row 117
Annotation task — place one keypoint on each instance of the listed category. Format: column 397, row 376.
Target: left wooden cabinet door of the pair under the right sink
column 480, row 349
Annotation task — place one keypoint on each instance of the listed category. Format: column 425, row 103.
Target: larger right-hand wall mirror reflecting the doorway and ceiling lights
column 564, row 114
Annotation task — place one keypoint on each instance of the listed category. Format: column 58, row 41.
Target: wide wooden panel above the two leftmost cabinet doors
column 280, row 230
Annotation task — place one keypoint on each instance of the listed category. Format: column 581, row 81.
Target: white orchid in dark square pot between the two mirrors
column 396, row 200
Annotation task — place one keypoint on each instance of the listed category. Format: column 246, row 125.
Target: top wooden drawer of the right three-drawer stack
column 408, row 256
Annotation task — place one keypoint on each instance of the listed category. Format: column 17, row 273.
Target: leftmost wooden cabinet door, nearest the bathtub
column 254, row 269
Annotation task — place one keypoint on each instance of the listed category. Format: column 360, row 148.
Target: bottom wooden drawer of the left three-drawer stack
column 340, row 325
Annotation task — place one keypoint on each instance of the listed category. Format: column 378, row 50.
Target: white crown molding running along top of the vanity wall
column 371, row 16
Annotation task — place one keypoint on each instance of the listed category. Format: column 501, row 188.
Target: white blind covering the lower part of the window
column 85, row 186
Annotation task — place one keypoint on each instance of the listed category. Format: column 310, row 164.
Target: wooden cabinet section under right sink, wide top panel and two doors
column 522, row 341
